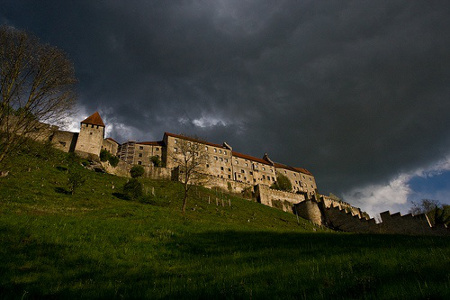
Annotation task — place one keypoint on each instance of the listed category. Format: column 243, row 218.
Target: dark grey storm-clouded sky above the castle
column 357, row 92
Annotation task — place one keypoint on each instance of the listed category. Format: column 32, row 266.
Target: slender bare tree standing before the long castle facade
column 192, row 158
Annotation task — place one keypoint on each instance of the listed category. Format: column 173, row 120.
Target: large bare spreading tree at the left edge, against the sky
column 36, row 86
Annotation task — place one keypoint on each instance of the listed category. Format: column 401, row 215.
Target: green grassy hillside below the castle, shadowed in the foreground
column 95, row 244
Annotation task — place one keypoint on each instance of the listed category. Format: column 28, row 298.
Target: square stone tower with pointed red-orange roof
column 90, row 138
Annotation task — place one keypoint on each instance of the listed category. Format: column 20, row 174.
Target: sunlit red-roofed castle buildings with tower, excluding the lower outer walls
column 222, row 161
